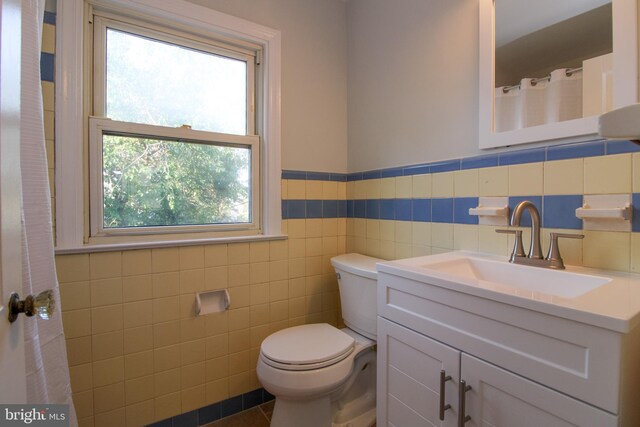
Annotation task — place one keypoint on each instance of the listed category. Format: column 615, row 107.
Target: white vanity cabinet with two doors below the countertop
column 523, row 367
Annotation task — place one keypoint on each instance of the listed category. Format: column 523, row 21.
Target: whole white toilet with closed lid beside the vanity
column 322, row 376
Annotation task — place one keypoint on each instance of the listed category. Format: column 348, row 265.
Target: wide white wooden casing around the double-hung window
column 72, row 225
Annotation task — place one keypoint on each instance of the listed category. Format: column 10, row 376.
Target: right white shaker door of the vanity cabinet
column 502, row 399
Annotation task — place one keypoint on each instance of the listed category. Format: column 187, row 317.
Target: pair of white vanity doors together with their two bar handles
column 421, row 384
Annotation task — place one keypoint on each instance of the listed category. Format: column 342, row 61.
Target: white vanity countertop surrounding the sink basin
column 614, row 305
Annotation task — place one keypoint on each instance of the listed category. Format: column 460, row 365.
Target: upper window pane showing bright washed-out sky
column 158, row 83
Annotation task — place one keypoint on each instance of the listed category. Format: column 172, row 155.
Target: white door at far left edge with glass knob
column 12, row 365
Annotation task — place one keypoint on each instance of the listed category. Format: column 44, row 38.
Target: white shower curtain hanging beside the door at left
column 46, row 356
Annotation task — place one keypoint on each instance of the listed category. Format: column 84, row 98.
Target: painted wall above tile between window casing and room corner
column 314, row 76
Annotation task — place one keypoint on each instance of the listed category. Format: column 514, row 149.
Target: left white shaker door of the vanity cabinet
column 409, row 366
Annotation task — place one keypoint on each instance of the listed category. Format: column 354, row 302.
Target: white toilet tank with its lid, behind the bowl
column 357, row 281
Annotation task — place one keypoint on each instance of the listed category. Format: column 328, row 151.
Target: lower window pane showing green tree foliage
column 151, row 182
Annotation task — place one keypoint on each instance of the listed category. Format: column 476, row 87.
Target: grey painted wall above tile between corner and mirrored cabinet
column 413, row 72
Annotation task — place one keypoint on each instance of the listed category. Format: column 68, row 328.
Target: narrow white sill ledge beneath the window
column 92, row 248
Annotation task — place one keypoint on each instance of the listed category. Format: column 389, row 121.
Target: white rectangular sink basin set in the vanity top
column 501, row 275
